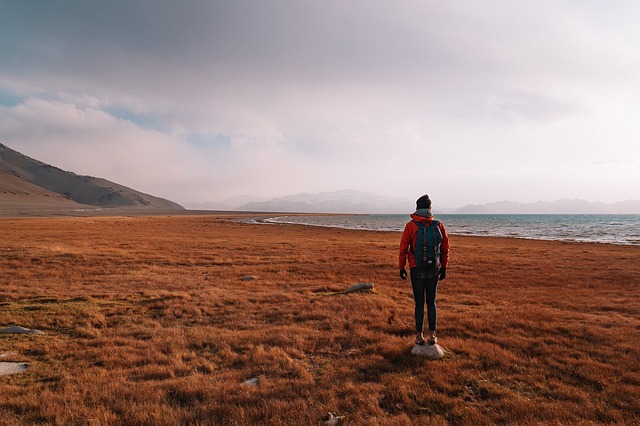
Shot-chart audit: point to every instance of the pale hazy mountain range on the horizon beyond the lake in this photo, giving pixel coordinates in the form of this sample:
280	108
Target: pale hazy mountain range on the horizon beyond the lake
350	201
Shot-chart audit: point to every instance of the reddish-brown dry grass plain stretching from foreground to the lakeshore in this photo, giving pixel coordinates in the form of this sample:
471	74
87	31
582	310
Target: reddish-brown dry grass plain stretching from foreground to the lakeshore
147	322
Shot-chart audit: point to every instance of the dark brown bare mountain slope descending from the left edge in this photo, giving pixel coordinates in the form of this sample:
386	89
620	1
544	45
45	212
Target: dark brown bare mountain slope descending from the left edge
26	183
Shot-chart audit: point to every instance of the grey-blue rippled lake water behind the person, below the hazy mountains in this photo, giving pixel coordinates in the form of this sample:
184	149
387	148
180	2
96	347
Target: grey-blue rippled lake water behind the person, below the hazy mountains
614	229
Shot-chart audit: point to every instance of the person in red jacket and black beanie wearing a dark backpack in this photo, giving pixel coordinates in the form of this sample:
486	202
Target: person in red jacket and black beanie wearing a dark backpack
425	246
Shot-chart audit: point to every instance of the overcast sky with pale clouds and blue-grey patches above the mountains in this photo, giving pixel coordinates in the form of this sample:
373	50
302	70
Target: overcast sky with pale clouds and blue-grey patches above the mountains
469	101
